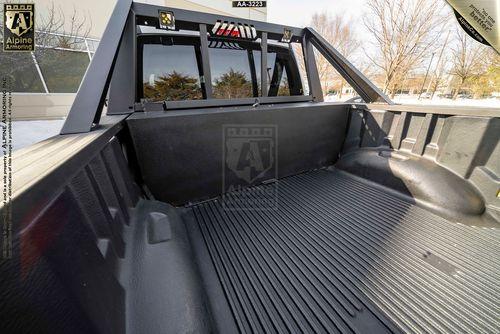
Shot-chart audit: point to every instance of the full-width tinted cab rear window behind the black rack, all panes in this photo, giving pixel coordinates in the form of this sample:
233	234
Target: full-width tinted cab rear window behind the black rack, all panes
172	70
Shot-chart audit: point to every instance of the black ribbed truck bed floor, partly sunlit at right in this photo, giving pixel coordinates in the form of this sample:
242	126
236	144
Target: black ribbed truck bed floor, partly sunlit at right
339	255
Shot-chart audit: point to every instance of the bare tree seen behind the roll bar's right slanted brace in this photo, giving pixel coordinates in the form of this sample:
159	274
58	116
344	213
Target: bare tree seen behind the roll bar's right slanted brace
337	30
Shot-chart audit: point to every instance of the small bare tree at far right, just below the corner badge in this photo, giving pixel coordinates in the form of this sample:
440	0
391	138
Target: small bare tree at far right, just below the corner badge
468	59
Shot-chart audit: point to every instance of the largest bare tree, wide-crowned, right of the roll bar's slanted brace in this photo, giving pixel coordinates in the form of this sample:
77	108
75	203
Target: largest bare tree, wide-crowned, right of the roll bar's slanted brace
404	34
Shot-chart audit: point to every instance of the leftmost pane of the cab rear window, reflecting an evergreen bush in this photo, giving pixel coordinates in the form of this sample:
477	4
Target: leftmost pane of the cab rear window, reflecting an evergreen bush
171	73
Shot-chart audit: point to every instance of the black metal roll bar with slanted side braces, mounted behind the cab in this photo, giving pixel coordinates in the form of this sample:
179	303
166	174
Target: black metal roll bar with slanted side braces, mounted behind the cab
112	72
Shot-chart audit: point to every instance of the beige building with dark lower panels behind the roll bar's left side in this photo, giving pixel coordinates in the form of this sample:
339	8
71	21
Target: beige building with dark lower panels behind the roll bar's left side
46	81
